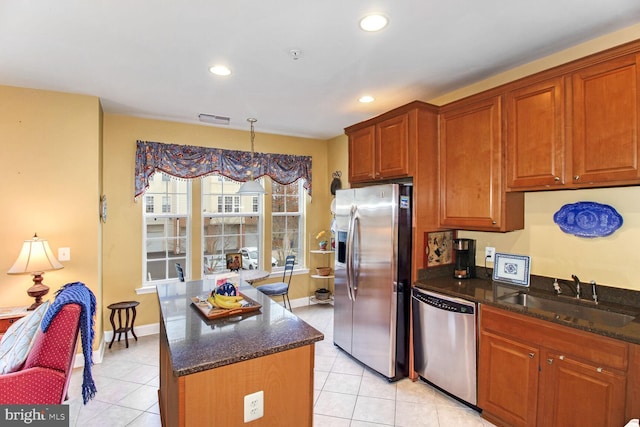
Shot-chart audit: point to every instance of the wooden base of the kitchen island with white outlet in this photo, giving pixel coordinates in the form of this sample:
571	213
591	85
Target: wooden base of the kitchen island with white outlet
215	397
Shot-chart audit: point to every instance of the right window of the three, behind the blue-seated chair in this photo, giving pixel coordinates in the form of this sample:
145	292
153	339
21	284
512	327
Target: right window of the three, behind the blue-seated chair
287	206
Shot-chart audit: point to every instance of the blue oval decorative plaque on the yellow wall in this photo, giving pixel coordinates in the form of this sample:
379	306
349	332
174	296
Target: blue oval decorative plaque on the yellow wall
588	219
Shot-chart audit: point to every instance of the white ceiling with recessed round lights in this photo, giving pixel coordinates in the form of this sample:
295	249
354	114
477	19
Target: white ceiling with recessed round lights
150	58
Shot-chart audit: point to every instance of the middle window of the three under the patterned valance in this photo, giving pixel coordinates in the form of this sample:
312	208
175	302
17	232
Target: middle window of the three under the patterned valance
231	224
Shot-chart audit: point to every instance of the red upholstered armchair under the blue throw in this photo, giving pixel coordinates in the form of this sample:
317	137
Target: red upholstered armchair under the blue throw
45	376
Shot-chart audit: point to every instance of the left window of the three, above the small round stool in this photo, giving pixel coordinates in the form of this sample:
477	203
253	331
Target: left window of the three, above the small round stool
166	234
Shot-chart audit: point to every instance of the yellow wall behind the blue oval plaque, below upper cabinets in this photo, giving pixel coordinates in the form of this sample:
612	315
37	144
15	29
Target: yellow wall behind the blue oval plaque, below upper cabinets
611	260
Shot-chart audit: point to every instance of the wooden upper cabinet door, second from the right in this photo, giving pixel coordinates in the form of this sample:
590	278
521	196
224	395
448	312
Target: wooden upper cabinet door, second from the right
536	136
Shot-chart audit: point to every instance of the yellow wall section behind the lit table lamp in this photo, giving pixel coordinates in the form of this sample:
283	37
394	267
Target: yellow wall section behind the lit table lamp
50	179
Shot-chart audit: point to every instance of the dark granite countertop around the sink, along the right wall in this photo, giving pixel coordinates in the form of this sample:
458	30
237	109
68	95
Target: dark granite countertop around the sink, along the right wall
485	291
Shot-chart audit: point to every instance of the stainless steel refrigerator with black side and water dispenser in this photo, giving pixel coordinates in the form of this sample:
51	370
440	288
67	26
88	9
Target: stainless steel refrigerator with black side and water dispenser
373	276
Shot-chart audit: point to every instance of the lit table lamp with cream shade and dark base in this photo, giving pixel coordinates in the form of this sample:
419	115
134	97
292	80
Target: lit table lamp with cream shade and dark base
35	258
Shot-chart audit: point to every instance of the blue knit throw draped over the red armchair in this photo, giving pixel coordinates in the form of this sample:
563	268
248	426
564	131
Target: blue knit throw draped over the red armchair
78	293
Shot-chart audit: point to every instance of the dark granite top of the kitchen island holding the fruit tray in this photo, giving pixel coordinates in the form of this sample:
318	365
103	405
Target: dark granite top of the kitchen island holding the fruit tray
196	343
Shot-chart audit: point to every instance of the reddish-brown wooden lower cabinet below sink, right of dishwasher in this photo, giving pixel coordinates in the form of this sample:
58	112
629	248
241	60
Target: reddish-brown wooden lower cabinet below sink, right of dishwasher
536	373
